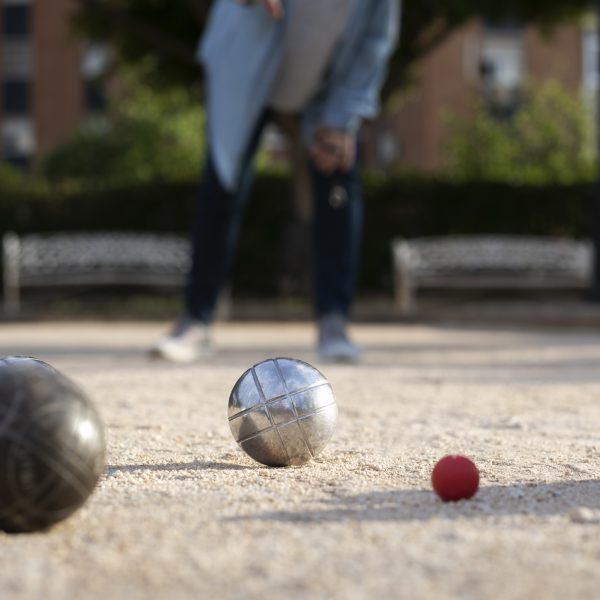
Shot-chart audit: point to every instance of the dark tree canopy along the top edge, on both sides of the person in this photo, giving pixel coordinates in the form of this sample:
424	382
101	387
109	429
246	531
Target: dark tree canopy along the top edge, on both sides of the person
166	31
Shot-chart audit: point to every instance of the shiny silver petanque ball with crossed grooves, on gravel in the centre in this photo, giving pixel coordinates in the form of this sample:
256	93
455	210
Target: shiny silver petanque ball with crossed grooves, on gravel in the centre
282	412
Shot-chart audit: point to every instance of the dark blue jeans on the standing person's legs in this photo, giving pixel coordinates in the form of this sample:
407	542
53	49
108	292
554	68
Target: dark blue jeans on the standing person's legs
337	233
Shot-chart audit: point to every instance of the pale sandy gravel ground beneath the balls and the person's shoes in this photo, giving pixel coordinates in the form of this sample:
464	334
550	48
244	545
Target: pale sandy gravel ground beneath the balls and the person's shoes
182	513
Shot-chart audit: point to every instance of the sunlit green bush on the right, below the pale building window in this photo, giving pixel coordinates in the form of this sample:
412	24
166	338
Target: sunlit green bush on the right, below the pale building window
547	140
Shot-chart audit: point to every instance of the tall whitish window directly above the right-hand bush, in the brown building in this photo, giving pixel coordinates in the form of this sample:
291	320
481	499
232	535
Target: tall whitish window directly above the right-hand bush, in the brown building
502	68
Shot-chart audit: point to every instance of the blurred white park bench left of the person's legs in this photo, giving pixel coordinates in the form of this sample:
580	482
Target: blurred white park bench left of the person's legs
91	259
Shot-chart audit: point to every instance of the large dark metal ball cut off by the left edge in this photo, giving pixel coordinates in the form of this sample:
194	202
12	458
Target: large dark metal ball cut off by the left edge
52	445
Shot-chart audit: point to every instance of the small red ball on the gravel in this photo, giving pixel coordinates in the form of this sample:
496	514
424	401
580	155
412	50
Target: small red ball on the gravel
454	478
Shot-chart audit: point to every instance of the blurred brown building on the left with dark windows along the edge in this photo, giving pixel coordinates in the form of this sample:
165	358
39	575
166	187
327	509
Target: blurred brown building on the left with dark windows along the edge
46	78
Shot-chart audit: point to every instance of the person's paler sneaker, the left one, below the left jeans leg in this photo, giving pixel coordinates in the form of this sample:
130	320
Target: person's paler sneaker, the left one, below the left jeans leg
189	341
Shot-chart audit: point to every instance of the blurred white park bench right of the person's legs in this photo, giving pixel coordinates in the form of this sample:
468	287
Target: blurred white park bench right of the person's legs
488	262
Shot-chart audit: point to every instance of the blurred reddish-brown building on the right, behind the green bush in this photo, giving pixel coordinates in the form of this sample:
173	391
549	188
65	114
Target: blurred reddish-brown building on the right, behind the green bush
481	60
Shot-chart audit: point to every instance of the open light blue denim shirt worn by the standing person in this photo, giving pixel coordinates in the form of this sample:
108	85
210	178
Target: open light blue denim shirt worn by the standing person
241	52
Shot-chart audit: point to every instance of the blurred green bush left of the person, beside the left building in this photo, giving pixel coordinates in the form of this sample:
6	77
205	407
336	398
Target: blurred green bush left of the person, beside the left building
145	136
